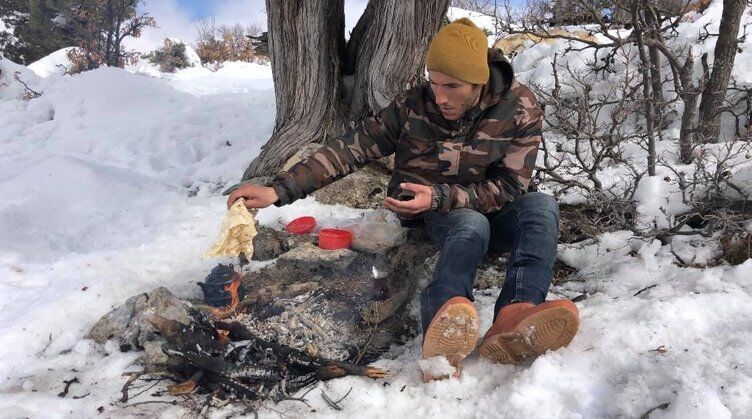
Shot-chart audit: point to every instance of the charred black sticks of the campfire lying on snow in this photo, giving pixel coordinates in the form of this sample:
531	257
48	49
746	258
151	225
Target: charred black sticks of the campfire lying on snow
247	367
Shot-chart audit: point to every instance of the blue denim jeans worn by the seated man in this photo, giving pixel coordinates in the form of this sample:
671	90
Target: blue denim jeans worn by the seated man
527	228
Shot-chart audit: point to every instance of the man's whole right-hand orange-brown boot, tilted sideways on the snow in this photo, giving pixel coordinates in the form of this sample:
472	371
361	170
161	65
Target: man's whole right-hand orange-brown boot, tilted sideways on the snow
524	330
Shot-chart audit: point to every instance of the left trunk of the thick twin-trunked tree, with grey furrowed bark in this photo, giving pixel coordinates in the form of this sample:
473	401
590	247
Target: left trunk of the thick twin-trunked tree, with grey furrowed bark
305	43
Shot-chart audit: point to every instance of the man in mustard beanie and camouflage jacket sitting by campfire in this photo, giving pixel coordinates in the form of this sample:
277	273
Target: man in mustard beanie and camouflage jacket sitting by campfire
465	145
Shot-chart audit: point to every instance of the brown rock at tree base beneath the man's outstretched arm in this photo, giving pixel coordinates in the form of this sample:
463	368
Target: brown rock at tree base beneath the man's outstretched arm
363	189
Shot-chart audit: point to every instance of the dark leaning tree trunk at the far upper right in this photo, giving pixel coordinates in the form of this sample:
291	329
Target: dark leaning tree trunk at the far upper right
714	95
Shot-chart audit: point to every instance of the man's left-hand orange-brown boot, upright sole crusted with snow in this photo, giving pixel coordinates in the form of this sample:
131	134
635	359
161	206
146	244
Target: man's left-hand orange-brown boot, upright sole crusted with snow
453	334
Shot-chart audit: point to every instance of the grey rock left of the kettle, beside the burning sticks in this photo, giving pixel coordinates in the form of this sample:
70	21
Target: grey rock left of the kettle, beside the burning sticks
129	323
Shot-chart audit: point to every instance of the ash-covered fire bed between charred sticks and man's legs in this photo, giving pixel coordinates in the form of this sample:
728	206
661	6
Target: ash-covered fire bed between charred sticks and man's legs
341	304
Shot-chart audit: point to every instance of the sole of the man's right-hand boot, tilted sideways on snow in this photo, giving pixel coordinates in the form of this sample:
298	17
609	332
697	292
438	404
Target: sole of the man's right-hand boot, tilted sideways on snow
545	330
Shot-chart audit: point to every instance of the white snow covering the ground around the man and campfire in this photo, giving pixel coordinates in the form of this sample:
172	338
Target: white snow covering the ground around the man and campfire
110	184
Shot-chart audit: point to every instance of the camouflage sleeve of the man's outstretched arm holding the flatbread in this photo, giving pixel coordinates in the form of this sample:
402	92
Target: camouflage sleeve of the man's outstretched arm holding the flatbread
374	138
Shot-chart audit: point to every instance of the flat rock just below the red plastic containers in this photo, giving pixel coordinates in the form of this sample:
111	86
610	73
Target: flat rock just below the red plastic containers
309	259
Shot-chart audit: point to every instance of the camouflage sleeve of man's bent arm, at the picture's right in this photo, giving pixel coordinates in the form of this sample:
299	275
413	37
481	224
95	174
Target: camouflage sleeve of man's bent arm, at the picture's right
506	178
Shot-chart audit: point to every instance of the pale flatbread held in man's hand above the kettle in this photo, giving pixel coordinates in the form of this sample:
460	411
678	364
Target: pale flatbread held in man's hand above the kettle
238	231
